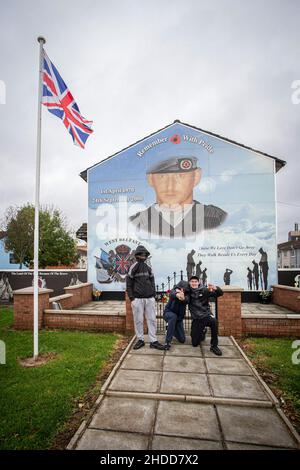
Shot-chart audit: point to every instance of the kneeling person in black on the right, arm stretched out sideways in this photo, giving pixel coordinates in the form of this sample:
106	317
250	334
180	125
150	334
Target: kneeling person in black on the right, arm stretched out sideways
201	313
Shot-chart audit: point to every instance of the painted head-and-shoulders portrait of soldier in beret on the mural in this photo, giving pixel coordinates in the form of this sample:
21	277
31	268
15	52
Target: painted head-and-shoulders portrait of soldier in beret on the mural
176	213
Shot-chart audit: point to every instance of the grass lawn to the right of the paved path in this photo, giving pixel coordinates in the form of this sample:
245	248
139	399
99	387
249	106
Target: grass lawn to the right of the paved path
273	359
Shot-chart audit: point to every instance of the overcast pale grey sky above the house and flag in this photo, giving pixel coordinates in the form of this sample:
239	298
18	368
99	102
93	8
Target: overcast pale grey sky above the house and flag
226	66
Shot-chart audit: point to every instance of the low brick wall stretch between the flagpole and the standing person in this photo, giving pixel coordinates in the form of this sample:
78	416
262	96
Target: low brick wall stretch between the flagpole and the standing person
83	321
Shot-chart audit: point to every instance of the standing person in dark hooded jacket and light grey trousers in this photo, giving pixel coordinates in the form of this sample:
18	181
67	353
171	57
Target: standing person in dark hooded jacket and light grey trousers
140	286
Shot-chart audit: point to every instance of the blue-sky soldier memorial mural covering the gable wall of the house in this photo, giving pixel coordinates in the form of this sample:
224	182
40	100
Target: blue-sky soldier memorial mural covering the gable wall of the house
200	204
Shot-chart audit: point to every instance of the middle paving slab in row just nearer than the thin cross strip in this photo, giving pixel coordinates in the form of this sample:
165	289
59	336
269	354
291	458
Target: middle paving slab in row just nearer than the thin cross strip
198	421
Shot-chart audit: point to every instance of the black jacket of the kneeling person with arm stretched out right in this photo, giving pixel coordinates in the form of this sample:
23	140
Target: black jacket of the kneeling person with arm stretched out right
199	301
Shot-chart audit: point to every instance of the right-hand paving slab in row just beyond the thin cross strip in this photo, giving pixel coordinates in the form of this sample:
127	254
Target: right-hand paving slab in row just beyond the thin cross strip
232	386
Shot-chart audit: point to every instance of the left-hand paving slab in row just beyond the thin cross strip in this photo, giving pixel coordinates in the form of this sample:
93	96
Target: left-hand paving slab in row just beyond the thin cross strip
136	381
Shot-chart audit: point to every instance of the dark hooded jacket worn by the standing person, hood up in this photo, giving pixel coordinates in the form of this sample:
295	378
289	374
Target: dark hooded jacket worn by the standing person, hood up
140	281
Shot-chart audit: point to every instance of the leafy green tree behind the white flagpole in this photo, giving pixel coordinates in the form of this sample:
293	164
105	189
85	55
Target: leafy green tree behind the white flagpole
56	245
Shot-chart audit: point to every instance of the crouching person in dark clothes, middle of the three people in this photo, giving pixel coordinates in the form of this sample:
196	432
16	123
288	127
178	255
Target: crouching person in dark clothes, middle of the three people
174	313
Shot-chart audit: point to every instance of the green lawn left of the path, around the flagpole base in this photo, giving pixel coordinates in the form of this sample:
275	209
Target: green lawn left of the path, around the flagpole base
35	403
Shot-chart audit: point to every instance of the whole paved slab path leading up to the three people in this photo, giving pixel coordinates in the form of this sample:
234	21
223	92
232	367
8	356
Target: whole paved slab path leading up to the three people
185	398
